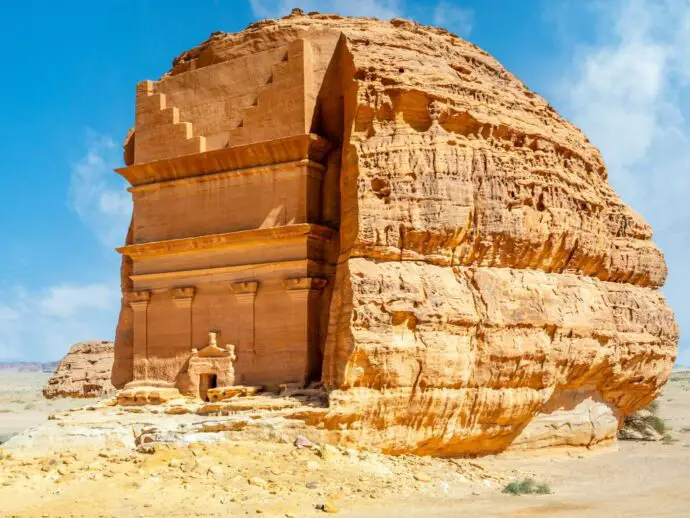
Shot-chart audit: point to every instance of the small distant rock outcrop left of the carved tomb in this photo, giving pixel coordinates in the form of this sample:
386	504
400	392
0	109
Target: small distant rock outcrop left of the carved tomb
84	372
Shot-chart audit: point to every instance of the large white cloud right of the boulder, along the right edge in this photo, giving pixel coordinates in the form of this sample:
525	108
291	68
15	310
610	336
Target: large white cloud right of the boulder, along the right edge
628	93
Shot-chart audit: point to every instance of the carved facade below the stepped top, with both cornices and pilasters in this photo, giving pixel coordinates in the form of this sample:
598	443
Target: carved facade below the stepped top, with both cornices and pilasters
230	249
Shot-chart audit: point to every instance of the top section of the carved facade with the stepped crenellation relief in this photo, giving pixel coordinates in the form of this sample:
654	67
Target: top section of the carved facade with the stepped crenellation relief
231	103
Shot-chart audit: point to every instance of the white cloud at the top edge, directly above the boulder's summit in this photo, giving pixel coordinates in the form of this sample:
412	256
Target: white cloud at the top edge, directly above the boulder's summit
383	9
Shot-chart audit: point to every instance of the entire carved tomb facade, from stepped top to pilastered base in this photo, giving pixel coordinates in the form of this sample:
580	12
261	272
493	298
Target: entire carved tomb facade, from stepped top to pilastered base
215	175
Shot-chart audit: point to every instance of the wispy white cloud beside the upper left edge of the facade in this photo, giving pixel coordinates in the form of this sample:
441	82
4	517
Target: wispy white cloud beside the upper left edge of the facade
97	194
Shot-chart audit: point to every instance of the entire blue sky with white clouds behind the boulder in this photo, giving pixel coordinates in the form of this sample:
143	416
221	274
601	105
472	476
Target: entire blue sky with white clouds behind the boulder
620	69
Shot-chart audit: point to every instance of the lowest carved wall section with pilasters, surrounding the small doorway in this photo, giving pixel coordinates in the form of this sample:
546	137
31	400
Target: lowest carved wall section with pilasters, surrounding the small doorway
269	350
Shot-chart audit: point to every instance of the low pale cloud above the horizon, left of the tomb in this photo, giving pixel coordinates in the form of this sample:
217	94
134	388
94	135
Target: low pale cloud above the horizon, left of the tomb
42	325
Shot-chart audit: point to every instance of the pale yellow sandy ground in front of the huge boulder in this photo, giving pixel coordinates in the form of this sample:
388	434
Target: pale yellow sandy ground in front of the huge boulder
248	477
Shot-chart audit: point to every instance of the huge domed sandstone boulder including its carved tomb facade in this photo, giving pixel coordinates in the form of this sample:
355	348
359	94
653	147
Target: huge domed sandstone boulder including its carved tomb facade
487	289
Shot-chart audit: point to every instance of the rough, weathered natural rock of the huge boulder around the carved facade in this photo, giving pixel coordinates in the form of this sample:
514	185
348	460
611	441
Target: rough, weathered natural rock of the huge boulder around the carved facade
491	290
